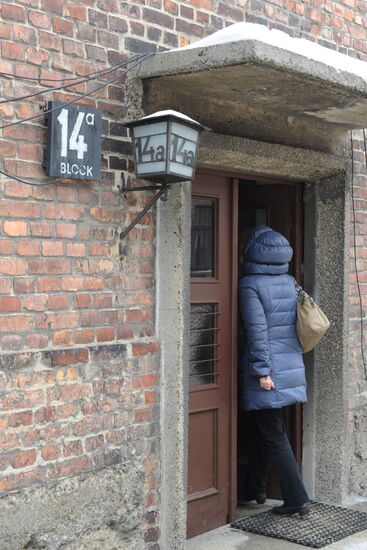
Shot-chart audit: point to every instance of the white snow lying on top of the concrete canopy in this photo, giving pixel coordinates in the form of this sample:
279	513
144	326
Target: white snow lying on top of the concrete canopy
279	39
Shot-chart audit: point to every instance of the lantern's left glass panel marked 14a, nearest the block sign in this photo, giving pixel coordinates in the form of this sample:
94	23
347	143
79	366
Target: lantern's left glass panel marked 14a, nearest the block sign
150	148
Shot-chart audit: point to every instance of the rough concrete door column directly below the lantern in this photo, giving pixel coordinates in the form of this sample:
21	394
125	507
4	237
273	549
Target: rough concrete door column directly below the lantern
173	321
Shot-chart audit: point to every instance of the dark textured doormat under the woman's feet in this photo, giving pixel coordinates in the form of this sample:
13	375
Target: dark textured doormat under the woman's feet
324	525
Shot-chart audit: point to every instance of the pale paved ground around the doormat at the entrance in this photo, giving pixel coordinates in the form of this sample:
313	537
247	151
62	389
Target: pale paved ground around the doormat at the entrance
226	538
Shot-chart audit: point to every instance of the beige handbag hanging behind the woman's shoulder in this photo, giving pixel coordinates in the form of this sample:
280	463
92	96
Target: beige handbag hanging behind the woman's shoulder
312	322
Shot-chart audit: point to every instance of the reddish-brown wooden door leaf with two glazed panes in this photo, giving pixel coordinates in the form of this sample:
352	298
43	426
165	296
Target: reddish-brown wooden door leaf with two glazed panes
211	354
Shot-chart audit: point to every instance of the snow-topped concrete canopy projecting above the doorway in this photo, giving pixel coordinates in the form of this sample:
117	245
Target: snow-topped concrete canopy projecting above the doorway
273	90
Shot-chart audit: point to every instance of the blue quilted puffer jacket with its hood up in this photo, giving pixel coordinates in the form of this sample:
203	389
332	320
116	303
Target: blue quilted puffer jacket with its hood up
268	307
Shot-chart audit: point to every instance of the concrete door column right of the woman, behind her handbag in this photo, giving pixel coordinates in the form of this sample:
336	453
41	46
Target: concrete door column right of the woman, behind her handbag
326	278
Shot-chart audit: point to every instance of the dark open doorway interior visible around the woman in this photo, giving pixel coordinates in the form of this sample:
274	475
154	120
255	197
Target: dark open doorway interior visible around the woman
279	205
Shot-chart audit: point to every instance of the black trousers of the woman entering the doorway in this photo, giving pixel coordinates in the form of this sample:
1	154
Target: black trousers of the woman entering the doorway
270	423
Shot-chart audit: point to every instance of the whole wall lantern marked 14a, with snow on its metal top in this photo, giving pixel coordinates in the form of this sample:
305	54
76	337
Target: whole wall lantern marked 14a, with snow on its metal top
165	146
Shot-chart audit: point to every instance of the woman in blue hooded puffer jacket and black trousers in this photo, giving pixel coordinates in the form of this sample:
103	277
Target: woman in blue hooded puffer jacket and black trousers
272	371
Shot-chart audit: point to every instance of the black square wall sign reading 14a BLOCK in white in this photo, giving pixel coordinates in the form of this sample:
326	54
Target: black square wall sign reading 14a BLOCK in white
74	142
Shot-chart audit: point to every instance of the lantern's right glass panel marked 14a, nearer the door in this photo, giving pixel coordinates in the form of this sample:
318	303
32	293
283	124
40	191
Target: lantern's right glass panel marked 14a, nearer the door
183	148
